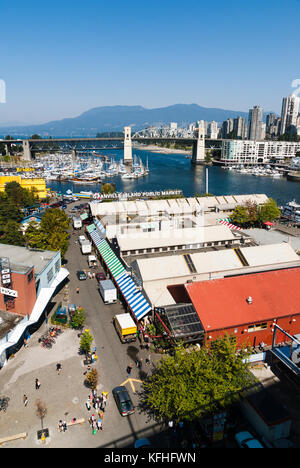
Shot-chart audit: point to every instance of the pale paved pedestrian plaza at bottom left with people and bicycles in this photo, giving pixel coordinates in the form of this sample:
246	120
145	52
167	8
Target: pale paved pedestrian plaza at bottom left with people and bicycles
64	395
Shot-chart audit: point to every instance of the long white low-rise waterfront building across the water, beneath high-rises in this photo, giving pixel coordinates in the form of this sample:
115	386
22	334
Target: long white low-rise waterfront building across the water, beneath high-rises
241	152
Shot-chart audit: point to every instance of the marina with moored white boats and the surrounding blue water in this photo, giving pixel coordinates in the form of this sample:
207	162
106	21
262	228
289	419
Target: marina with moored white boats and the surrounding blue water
156	172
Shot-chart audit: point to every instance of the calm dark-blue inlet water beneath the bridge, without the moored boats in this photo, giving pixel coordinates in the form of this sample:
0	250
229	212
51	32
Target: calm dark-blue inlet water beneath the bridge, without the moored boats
175	171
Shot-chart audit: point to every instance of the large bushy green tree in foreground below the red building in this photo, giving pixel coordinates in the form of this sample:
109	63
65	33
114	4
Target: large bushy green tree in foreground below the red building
187	386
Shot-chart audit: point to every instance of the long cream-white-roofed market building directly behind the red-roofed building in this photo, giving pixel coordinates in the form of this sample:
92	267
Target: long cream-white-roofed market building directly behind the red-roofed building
162	276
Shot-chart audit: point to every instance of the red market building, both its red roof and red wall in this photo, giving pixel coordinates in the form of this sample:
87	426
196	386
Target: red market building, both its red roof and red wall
248	307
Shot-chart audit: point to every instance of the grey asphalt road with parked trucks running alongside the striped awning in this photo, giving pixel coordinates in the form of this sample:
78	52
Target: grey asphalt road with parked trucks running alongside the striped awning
114	357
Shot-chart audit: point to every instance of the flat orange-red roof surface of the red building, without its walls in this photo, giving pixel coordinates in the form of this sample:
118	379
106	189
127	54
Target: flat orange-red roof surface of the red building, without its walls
222	303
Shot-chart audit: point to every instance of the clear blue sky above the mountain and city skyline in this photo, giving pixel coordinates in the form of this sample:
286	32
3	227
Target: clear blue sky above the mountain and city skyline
61	58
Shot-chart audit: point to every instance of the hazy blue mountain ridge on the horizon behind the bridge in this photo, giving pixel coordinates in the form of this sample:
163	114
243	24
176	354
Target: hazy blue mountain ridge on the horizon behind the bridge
114	118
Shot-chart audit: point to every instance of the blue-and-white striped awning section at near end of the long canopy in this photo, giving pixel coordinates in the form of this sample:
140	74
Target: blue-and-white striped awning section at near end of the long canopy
134	298
